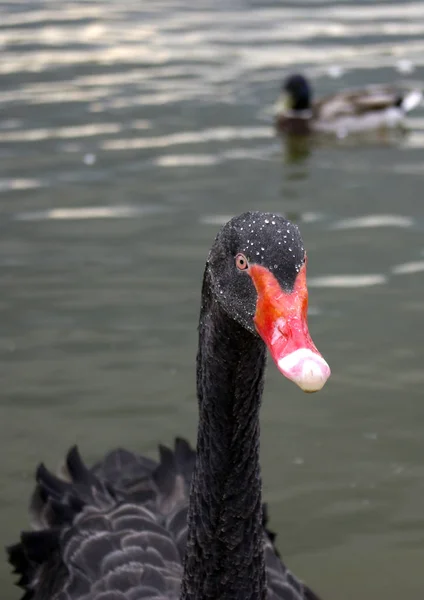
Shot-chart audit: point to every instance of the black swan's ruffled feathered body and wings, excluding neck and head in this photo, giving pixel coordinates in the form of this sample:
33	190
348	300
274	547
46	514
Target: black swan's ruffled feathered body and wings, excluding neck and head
118	531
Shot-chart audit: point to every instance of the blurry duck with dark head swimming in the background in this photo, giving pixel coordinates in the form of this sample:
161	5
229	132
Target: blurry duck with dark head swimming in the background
350	112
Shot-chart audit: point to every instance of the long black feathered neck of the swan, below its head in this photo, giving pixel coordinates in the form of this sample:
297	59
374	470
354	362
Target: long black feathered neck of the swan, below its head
225	555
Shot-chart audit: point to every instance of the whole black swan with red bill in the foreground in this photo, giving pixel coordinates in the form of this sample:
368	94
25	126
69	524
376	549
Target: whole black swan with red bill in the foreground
191	526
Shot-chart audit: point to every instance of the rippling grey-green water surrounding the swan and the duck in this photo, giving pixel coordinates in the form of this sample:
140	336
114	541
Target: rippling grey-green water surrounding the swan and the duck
127	136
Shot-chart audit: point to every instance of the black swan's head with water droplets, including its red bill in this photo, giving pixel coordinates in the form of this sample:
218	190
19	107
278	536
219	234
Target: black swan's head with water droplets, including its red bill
257	268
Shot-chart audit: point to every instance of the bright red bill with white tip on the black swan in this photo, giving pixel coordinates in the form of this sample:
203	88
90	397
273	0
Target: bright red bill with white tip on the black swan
281	321
